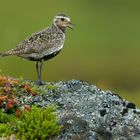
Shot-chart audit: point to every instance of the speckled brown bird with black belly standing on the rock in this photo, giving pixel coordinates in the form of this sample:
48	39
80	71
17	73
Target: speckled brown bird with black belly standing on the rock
43	45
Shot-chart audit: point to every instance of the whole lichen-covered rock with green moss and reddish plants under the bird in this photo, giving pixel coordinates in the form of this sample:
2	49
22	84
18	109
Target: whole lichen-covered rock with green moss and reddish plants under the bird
84	111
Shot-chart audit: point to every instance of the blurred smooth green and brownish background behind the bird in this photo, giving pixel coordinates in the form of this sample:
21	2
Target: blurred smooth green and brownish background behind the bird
103	49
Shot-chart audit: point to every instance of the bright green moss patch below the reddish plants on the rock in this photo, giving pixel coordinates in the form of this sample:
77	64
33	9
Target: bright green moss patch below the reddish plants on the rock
40	123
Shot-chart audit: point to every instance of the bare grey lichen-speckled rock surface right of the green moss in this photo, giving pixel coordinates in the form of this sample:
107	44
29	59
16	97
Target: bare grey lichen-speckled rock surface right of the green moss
88	113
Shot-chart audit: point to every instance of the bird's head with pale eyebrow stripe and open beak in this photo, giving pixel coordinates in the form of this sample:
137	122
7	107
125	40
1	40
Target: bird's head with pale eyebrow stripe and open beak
62	21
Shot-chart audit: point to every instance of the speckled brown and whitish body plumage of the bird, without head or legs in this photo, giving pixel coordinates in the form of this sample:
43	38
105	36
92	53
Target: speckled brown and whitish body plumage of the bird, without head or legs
40	44
